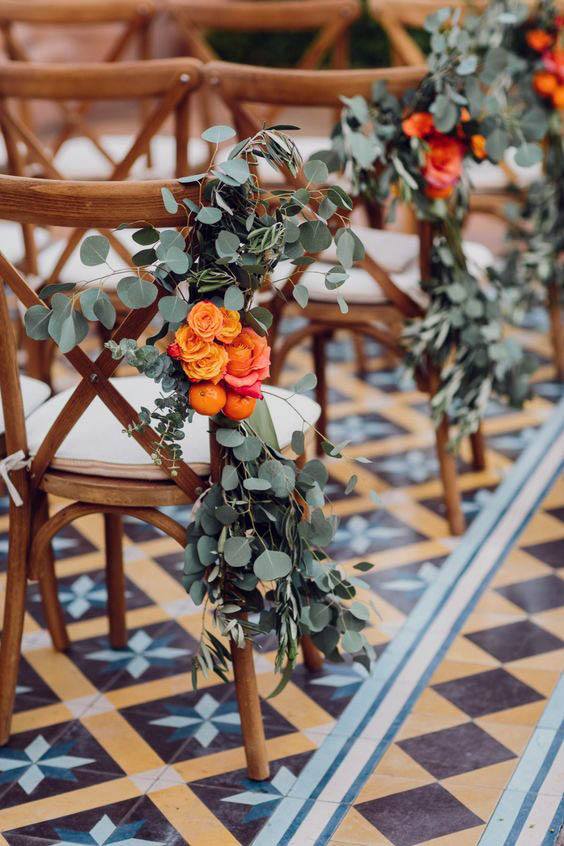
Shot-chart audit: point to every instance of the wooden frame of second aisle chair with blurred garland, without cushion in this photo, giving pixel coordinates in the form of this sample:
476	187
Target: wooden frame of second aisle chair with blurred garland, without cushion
239	85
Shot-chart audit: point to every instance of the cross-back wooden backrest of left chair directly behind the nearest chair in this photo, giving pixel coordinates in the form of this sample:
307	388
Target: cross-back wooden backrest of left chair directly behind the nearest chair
163	86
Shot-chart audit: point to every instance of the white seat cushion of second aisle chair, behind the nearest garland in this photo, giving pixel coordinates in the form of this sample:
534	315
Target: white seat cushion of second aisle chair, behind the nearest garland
386	248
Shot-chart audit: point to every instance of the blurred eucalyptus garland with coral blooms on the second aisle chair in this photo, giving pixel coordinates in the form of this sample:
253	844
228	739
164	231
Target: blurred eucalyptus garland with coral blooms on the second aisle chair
416	151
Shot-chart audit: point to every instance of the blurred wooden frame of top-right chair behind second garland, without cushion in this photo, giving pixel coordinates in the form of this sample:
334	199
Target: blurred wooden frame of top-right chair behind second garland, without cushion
395	16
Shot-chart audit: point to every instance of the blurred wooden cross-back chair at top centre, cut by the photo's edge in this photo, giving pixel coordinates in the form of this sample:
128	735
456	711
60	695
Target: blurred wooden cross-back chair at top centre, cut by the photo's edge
328	20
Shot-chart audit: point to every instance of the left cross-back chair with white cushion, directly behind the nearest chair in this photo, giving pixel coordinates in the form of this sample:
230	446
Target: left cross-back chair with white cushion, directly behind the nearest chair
166	85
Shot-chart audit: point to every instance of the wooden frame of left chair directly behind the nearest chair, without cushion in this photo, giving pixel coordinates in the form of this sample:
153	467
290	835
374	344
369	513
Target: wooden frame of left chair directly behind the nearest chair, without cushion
165	85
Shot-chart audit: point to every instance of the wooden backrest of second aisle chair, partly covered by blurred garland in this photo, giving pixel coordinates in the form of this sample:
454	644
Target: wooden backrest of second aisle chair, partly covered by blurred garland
241	86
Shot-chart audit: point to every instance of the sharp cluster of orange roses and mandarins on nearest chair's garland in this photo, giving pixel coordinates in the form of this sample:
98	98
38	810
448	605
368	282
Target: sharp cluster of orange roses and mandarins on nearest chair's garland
214	348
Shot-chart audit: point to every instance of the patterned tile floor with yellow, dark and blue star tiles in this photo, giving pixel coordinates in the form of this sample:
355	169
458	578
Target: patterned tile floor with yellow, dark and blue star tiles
113	746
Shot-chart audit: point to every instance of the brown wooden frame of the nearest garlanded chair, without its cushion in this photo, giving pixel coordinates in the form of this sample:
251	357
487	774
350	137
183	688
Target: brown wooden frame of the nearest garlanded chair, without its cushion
86	205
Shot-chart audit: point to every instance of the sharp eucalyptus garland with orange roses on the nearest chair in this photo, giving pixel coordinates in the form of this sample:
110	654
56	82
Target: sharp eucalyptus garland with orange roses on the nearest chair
256	543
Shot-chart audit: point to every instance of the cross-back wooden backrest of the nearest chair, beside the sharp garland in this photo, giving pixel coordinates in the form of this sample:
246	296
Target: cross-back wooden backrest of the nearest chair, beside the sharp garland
84	205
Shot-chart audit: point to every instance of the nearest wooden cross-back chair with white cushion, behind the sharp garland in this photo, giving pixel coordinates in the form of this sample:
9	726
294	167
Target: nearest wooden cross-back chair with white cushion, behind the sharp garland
109	474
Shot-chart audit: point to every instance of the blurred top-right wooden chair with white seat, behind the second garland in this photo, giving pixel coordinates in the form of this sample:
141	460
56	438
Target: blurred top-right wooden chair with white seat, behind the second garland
494	186
